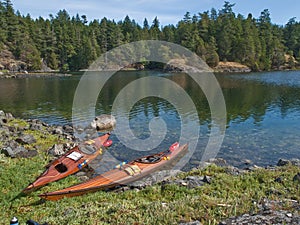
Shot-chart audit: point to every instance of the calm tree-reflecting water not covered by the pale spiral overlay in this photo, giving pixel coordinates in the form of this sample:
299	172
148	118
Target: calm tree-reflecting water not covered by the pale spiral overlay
263	111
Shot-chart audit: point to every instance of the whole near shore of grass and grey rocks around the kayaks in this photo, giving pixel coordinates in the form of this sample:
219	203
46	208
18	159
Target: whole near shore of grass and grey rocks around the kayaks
213	193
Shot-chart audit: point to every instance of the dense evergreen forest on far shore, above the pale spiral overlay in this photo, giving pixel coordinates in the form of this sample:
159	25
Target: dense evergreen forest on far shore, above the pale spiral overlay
72	43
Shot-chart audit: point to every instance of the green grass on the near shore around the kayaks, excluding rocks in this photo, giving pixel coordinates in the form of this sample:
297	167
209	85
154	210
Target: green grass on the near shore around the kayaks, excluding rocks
227	195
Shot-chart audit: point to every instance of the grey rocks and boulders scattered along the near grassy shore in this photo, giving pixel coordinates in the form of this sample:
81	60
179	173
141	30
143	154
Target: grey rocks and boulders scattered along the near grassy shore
26	138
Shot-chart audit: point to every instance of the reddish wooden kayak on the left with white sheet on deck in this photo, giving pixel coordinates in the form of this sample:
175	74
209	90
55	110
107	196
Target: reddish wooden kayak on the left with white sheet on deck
71	162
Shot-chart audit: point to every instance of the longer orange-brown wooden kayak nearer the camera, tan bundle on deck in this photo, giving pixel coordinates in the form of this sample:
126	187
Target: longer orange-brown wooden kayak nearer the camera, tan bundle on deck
123	173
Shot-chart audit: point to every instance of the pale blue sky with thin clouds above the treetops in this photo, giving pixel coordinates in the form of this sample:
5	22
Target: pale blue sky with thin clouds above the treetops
167	11
